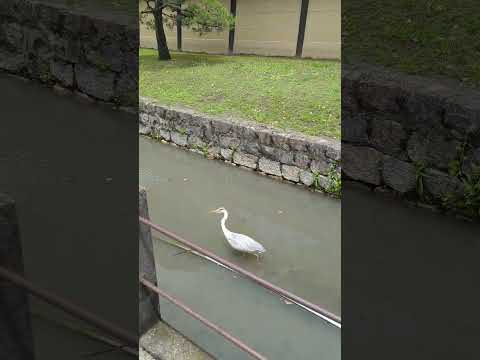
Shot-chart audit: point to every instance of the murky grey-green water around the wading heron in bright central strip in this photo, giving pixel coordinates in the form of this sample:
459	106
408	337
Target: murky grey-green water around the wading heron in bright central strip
299	229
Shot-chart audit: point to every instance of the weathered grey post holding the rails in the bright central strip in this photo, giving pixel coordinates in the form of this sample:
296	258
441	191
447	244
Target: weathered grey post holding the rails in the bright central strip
149	310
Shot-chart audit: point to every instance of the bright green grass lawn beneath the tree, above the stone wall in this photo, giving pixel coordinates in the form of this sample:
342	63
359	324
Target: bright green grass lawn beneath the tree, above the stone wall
301	95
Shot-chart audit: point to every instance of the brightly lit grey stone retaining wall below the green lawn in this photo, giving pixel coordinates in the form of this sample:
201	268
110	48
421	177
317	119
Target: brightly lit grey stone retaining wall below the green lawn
311	161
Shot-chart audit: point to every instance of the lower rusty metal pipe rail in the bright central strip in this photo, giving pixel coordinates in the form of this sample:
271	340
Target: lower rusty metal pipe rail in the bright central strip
238	343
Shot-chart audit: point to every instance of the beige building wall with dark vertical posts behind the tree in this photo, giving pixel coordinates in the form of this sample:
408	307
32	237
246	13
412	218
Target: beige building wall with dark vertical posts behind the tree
269	28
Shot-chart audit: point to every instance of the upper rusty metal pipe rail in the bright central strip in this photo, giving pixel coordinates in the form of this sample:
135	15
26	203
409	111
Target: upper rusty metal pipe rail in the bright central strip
326	315
